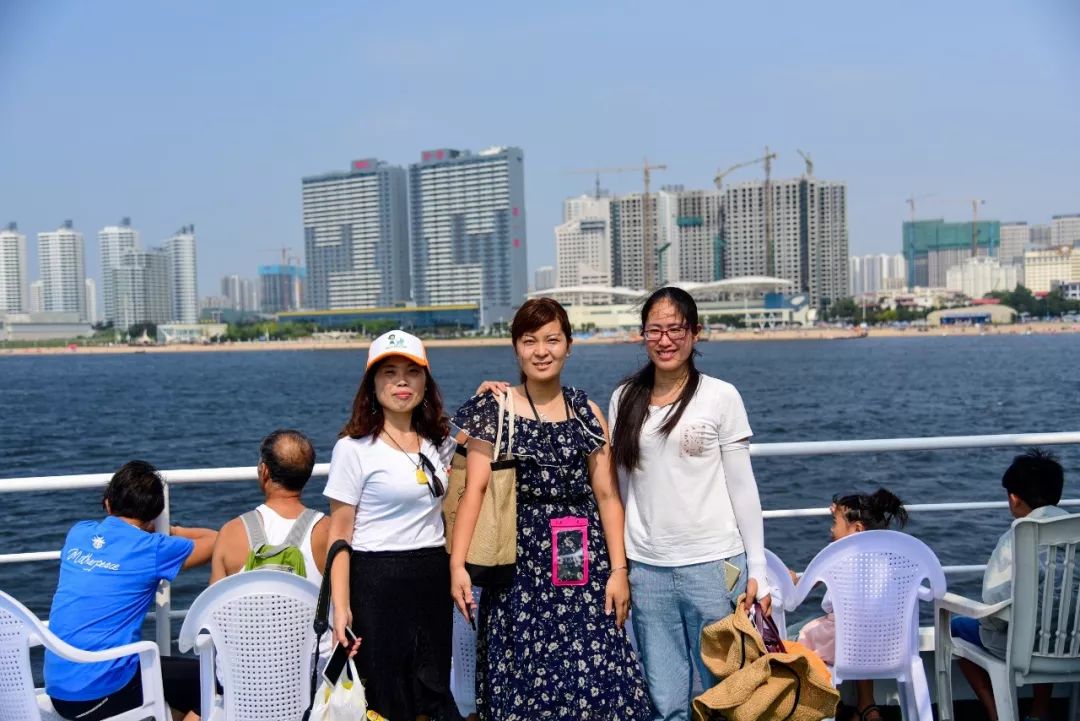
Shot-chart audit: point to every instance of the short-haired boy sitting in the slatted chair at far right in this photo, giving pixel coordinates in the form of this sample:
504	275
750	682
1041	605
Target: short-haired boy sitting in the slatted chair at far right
1034	483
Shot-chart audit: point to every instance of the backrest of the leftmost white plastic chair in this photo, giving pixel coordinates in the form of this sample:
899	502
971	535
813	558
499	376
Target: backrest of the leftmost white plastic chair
18	625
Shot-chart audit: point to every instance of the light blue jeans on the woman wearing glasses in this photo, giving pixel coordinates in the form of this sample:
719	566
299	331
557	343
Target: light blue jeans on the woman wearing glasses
670	608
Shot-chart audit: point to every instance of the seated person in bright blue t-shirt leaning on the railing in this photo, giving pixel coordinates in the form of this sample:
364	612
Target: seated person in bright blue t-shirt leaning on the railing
110	575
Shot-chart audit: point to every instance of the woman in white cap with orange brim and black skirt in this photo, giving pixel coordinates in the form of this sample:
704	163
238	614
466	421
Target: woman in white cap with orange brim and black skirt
387	481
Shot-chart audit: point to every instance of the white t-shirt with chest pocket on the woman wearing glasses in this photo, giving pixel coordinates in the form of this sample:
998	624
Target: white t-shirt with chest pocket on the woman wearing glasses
679	510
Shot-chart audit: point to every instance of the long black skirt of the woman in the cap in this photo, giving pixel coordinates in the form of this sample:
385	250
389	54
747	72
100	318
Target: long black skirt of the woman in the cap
403	614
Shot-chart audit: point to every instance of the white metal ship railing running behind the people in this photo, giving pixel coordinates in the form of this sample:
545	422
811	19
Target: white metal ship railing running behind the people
164	613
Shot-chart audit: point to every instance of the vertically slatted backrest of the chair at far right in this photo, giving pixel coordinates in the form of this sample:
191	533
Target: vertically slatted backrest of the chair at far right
1045	628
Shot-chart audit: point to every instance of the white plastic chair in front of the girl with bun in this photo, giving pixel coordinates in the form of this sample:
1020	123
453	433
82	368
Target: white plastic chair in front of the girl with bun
875	583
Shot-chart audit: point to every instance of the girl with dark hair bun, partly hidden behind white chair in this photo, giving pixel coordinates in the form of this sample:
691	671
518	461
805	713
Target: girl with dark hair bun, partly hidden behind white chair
859	512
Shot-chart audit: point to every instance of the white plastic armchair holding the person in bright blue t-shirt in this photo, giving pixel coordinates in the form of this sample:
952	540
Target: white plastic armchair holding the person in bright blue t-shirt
20	631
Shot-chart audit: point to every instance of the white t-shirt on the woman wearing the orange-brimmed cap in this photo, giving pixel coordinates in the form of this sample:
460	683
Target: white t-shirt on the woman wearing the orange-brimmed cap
394	511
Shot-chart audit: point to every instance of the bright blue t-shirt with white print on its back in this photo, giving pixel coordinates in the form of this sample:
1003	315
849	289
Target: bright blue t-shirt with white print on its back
110	574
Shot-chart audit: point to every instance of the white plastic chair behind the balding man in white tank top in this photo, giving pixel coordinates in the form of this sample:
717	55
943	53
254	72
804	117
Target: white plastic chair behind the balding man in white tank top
256	627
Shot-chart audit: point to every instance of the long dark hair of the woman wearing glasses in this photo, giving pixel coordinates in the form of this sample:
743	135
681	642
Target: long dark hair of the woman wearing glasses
638	389
